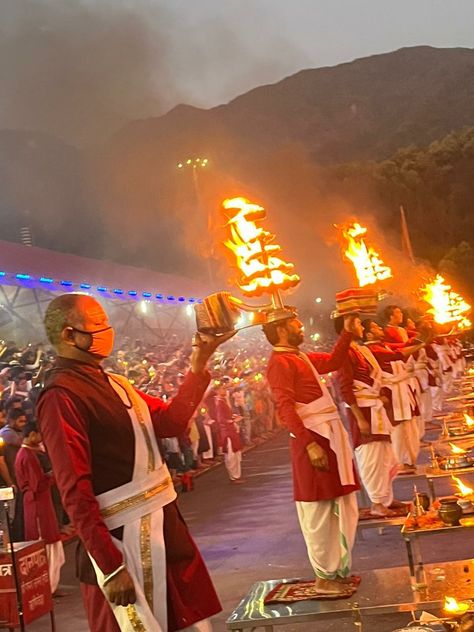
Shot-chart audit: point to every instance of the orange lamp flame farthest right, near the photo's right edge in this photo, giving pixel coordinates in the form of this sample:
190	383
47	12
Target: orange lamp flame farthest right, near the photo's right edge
446	305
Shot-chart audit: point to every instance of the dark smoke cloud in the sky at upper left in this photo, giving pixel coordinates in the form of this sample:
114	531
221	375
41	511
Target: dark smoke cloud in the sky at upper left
80	70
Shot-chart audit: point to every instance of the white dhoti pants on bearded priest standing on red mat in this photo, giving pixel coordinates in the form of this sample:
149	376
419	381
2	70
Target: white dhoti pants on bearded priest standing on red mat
329	528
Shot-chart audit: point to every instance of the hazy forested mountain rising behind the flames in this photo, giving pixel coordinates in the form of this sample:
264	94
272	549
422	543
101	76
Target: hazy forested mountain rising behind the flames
359	138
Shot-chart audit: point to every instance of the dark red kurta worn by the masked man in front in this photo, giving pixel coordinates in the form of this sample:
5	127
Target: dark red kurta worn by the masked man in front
89	436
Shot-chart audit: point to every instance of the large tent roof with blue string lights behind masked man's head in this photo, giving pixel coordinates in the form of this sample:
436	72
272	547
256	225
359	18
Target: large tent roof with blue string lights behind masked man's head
141	303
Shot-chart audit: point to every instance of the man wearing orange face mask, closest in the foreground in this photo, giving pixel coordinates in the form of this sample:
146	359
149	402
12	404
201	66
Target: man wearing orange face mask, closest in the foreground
138	566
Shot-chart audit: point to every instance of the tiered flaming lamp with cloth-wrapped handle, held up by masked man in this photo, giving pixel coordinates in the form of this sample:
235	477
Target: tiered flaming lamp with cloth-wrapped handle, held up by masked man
262	271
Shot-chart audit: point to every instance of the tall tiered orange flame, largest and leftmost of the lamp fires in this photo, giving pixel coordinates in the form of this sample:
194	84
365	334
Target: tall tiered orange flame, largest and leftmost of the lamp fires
262	271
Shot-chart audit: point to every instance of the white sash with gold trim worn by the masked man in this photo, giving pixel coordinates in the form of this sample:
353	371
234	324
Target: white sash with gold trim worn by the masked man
138	506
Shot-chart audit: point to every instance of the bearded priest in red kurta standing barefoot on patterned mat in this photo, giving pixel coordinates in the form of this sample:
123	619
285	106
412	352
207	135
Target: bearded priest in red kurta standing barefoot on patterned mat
324	477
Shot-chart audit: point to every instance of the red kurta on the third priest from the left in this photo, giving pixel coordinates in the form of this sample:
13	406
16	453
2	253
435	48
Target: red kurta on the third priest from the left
356	367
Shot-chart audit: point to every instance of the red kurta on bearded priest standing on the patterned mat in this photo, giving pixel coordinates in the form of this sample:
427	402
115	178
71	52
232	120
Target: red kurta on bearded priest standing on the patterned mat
291	381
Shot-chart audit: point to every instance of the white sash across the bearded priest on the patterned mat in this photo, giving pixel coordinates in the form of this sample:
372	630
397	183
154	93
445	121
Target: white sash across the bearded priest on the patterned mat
321	416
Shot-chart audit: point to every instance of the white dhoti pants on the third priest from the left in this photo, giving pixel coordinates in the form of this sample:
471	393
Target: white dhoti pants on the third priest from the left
377	468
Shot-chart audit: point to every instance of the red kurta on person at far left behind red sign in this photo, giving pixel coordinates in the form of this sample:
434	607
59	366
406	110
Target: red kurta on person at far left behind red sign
39	516
